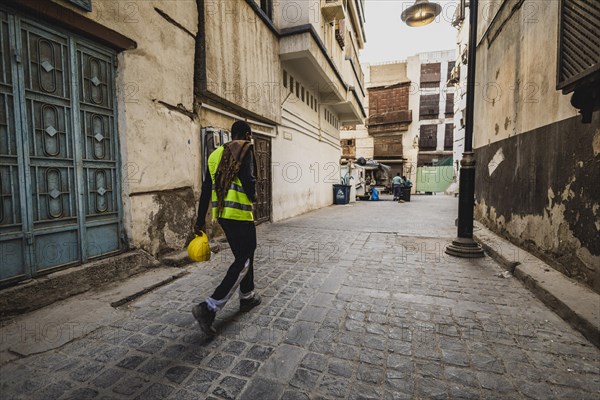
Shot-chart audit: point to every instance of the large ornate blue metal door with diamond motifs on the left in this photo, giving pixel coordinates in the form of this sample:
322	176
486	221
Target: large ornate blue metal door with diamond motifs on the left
59	181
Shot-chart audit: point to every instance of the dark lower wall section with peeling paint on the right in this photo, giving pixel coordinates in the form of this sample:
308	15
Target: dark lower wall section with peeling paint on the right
543	194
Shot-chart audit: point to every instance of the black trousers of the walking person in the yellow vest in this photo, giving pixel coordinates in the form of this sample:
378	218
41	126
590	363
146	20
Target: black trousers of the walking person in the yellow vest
241	236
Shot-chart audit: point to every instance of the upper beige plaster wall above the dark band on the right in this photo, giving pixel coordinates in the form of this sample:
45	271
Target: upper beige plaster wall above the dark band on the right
516	73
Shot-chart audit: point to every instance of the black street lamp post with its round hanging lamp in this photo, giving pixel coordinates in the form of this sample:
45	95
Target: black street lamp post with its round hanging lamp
422	13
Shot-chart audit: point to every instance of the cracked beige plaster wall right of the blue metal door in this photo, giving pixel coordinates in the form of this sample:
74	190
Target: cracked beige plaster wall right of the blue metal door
158	132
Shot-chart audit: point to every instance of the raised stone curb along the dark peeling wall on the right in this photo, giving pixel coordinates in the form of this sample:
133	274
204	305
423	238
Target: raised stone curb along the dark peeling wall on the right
575	303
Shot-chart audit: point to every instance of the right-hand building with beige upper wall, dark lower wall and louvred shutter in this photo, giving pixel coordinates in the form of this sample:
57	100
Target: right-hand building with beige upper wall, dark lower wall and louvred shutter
537	130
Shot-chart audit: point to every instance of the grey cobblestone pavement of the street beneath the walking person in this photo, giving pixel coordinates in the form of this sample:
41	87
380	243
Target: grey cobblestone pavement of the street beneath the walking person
347	313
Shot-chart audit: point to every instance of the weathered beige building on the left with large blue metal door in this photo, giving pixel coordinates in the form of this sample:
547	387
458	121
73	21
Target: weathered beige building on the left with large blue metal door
99	142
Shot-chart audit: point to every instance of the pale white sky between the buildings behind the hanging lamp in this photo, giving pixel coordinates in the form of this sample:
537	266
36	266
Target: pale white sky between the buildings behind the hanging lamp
389	39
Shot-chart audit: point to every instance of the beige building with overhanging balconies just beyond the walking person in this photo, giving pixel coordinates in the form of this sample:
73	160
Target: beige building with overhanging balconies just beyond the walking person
291	68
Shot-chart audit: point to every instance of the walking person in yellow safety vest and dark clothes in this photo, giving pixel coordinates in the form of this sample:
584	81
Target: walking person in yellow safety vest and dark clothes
231	186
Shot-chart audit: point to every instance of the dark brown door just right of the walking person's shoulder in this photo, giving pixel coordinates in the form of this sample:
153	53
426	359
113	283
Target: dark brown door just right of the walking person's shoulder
262	151
